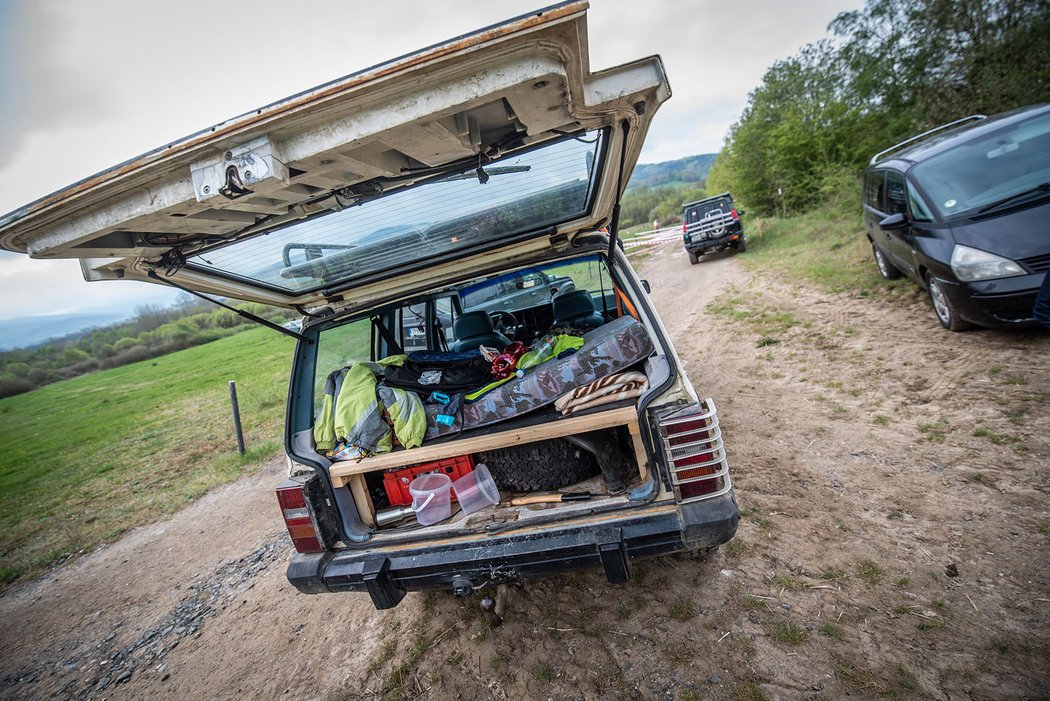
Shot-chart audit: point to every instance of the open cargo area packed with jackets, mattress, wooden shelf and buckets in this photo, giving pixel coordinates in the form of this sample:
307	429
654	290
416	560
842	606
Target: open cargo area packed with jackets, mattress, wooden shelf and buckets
475	427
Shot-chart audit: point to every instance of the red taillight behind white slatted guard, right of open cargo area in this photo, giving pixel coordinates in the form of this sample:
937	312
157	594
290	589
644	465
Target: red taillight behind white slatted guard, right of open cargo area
694	447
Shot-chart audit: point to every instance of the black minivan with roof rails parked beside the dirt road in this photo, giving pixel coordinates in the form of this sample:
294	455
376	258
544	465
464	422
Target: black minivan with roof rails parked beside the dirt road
964	210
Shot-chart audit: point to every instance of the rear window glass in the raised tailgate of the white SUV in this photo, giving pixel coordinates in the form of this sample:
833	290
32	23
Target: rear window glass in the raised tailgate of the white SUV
527	192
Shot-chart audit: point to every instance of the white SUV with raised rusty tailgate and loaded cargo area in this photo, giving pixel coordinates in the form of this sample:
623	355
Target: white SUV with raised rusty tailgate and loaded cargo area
376	205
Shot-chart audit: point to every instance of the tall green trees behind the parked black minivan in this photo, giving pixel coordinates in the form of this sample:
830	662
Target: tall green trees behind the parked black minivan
888	72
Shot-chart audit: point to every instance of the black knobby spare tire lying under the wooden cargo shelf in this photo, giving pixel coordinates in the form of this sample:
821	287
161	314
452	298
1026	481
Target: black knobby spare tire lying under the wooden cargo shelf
541	466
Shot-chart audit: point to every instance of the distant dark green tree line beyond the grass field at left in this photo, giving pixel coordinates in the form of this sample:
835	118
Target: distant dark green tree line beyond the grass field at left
155	331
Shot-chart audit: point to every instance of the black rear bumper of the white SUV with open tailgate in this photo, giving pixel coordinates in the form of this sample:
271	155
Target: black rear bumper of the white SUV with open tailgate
606	541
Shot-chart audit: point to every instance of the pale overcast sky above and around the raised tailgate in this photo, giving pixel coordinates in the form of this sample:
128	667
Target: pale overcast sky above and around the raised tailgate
87	86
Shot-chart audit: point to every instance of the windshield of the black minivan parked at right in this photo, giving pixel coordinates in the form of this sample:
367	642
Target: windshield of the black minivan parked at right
989	169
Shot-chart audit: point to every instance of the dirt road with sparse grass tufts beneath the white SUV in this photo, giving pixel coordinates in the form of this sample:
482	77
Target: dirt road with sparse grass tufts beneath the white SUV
893	480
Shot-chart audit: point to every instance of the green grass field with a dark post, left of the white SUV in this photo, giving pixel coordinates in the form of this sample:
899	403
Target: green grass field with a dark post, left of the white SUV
87	459
